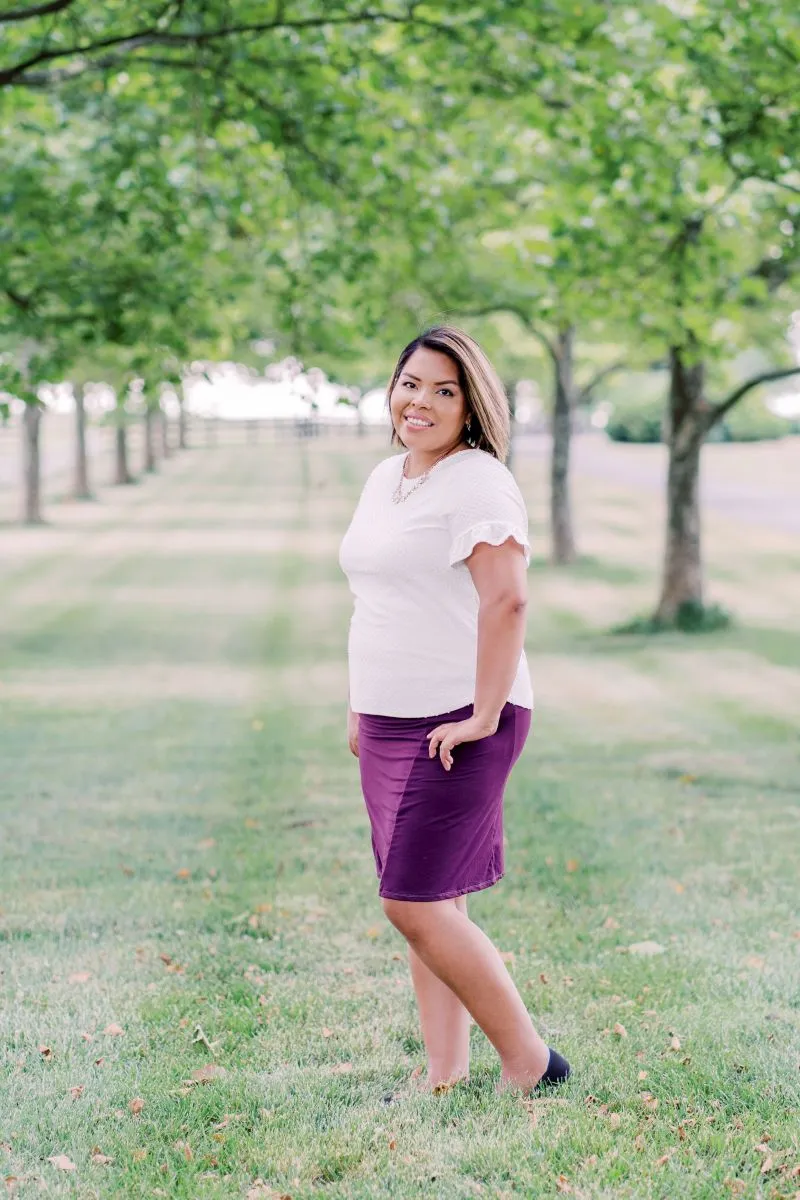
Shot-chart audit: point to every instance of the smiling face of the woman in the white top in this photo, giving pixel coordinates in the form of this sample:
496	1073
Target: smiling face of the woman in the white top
428	406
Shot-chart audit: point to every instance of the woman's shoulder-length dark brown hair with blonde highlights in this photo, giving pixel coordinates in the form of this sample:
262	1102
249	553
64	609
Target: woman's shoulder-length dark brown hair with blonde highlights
488	405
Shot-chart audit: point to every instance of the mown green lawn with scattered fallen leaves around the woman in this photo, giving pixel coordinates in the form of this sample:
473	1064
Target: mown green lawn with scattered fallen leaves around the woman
200	993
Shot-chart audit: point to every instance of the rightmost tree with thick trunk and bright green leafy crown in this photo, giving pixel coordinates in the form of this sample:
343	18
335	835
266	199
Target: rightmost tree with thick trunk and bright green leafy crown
700	147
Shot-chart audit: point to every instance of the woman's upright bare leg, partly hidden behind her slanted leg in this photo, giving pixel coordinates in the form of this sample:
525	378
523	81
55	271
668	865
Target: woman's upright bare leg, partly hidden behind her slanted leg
444	1021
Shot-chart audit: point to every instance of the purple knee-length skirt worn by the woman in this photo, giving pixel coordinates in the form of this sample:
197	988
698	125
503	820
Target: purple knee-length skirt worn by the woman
437	833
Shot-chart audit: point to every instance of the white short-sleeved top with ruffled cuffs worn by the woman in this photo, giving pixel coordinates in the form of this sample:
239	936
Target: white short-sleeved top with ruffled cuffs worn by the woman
413	638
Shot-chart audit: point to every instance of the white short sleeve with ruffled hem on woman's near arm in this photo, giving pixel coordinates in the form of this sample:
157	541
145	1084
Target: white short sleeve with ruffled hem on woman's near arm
490	508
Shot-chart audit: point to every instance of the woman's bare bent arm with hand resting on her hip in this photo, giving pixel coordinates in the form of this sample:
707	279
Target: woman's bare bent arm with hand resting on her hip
502	586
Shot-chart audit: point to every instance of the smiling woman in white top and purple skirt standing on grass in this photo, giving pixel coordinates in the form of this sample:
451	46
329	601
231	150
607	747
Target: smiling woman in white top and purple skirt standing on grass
441	697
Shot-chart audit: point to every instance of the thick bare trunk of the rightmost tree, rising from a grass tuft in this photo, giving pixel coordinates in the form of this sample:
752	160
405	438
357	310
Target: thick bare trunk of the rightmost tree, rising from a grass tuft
683	568
